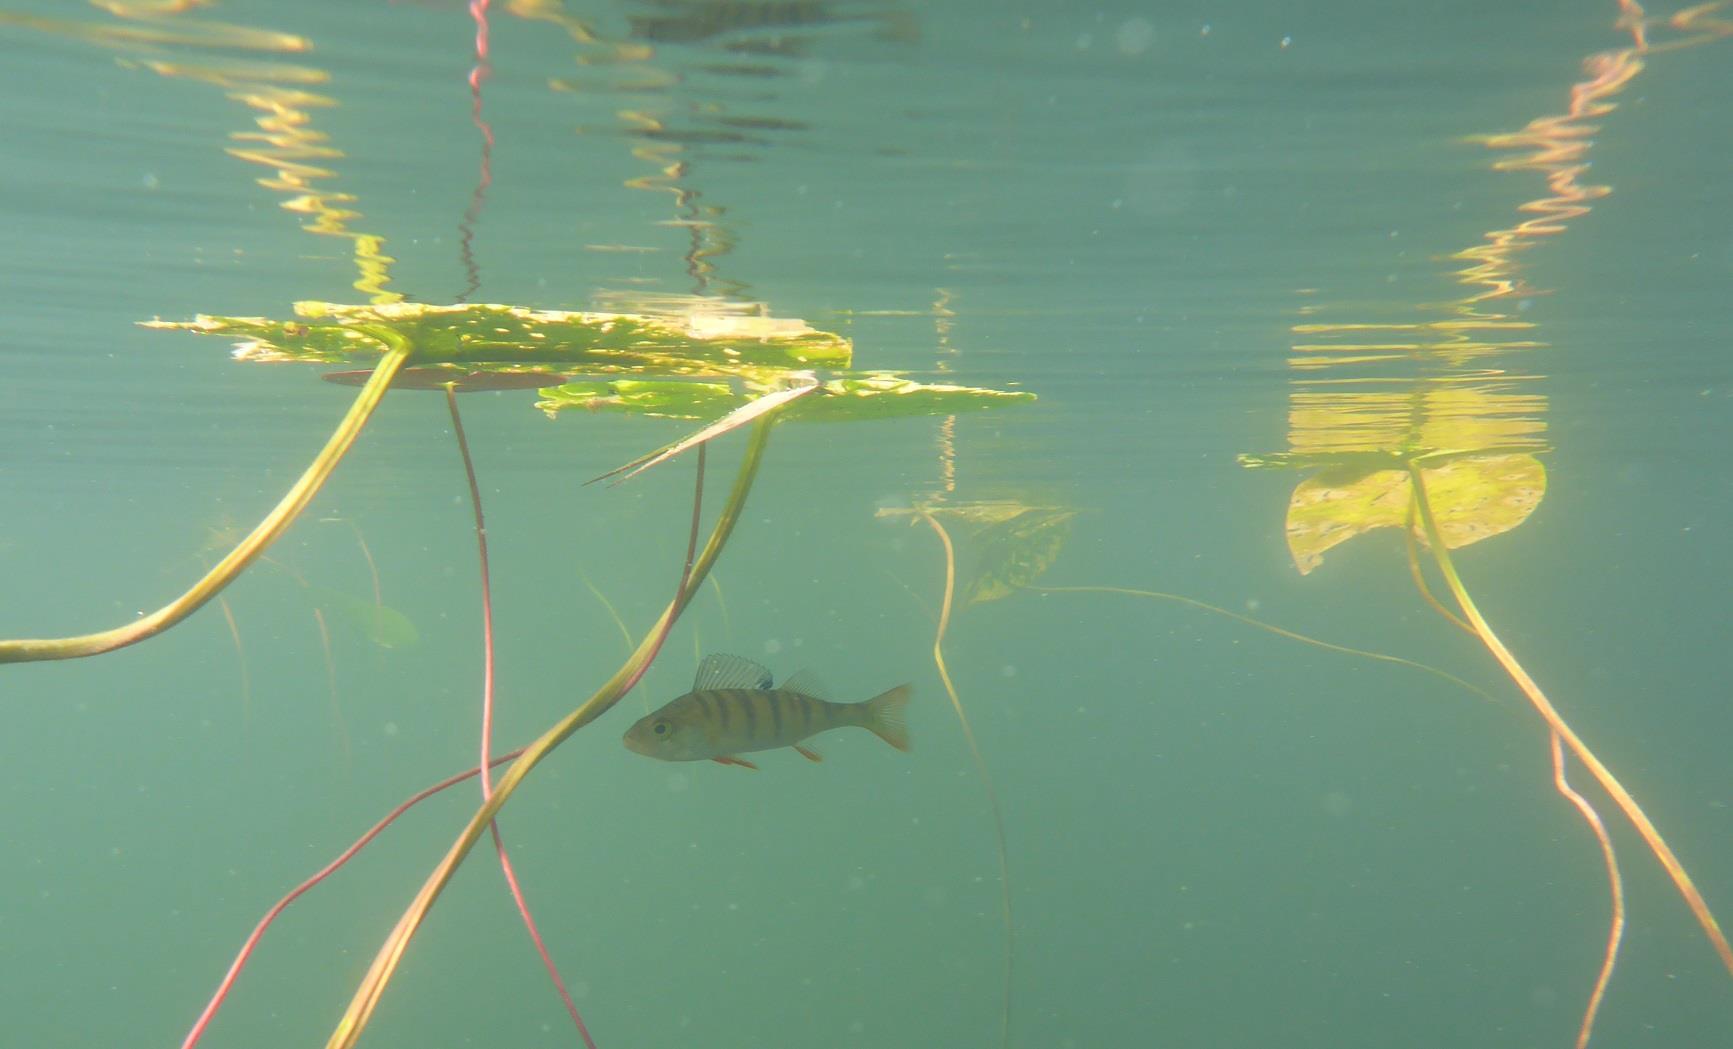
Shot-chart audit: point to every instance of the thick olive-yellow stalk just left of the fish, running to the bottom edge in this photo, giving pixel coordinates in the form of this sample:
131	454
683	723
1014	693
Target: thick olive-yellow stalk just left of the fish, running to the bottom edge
393	951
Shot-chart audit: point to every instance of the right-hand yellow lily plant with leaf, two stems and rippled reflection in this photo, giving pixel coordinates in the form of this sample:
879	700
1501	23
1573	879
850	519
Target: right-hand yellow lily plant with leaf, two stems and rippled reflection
1424	426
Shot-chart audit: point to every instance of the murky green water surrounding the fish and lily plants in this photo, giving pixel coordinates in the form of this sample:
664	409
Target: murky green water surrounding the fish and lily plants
1217	838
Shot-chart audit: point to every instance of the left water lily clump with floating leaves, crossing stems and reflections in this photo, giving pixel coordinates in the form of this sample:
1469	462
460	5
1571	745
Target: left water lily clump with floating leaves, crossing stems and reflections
718	362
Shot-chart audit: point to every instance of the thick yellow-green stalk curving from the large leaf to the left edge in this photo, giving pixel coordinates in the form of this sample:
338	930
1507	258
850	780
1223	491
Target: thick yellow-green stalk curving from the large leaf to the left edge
228	570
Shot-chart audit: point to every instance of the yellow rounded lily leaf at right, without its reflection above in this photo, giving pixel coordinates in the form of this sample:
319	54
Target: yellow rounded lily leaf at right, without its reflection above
1472	497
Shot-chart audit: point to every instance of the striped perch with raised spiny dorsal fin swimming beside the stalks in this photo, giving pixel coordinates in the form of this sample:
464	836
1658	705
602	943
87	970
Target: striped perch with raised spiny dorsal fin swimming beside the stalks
736	708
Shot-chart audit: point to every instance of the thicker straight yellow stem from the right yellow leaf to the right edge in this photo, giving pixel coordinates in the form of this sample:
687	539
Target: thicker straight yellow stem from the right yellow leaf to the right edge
1604	776
